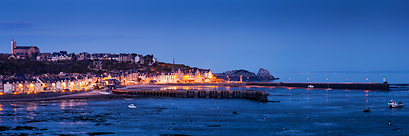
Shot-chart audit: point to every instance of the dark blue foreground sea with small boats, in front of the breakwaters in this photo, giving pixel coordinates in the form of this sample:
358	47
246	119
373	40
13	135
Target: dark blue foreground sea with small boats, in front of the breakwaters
299	112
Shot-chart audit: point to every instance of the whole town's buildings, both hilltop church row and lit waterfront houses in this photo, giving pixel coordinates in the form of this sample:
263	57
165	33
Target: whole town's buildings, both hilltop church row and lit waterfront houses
27	83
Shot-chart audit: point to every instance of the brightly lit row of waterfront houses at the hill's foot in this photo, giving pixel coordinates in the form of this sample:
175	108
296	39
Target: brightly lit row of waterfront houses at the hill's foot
74	81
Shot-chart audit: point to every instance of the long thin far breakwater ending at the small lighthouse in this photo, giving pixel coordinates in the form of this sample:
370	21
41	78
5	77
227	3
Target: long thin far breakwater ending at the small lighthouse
359	86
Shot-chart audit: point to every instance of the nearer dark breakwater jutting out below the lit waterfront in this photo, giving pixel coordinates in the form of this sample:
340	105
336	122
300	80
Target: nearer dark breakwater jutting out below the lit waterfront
246	94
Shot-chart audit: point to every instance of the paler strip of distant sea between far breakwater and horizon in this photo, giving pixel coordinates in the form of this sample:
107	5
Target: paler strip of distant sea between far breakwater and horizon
358	77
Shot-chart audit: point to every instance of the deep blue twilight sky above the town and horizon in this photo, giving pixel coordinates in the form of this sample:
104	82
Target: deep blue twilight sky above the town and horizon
281	36
